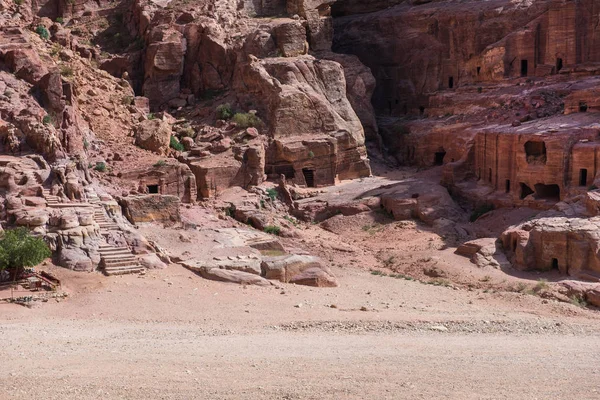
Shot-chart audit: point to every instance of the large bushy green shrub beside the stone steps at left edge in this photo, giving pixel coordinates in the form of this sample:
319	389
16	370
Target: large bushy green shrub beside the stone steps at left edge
19	249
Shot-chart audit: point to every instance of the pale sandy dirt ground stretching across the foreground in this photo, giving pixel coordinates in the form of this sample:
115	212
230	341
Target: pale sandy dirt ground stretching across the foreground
172	335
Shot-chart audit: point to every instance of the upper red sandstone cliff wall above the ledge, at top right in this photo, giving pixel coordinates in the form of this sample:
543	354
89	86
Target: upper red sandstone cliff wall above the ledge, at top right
440	45
